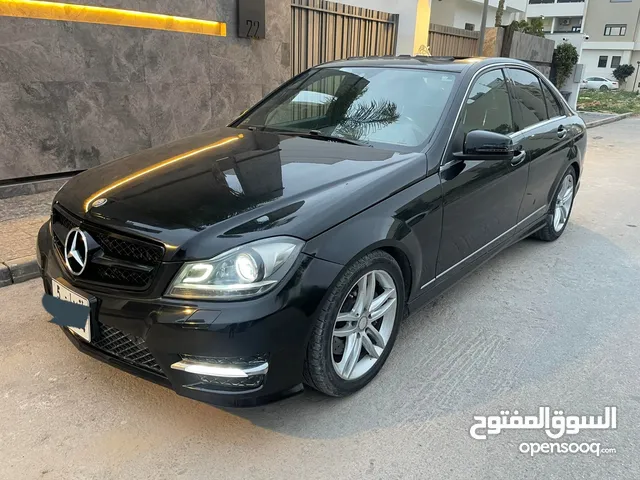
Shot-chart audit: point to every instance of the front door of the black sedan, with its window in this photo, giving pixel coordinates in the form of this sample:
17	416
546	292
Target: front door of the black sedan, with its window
481	197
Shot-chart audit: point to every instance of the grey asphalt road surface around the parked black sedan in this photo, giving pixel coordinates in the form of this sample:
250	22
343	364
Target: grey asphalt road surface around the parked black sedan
540	325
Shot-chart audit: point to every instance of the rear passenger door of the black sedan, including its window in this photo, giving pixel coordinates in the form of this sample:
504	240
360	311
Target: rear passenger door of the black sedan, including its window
544	132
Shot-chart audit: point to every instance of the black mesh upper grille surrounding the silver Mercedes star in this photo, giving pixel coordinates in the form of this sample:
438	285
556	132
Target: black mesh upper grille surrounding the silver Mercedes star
125	262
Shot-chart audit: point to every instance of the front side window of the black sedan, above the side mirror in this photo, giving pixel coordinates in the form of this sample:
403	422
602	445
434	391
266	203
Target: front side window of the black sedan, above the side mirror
488	106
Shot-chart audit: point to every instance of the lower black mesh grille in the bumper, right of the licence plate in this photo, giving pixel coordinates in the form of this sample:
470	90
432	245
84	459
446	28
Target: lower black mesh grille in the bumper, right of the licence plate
126	347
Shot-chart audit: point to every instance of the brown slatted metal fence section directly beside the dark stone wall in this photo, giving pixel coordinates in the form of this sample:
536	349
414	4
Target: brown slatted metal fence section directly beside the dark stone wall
323	31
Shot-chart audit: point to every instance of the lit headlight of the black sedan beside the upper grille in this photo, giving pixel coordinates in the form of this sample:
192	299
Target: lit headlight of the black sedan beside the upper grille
242	272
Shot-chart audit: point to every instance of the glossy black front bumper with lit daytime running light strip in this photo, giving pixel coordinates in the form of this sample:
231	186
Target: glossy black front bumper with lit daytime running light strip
225	353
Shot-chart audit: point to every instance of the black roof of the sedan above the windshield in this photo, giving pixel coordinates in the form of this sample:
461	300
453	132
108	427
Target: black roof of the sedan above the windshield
451	64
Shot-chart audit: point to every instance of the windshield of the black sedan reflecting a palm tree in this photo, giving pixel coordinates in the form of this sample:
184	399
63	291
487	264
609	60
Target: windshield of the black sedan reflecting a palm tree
387	106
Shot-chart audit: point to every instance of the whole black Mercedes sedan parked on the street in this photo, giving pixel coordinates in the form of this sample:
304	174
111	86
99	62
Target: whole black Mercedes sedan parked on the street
239	264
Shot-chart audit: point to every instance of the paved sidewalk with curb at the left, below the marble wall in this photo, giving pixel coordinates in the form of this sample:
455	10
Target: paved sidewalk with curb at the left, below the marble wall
20	219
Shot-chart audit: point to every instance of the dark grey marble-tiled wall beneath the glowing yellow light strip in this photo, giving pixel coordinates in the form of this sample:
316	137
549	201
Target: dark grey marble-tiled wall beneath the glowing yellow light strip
74	95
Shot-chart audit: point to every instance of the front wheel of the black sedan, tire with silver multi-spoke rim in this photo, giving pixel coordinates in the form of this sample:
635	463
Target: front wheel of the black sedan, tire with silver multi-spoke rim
326	369
